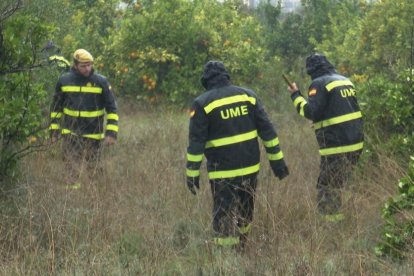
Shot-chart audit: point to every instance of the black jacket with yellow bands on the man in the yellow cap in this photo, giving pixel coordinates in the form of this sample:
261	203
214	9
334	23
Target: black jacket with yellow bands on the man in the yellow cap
79	107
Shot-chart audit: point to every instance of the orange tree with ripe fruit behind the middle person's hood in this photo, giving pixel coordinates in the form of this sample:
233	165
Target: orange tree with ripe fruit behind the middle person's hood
159	49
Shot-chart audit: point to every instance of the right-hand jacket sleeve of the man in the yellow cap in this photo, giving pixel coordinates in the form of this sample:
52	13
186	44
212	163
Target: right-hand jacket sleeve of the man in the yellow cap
111	110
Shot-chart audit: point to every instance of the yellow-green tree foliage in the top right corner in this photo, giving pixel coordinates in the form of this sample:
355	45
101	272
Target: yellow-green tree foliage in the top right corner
386	37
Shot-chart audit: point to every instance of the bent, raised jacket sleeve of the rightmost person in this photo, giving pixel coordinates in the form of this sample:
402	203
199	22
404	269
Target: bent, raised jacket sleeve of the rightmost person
313	107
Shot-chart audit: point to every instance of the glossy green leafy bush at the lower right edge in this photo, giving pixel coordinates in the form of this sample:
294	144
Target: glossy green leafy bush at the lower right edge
398	232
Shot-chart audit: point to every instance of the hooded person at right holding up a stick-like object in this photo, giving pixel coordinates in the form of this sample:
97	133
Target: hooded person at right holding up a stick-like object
337	120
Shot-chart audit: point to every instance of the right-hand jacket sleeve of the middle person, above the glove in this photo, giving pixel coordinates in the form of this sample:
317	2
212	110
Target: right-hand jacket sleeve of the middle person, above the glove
268	134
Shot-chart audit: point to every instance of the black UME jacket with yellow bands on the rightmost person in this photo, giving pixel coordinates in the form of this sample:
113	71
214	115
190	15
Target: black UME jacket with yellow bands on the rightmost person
332	106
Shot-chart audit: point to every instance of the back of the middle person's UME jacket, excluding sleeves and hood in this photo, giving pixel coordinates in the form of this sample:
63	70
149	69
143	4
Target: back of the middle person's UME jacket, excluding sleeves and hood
231	141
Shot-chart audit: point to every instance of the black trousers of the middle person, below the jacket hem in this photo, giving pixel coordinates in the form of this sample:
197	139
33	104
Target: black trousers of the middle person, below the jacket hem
233	205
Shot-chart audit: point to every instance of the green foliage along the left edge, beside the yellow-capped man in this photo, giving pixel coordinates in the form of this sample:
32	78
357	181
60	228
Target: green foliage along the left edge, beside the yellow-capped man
21	99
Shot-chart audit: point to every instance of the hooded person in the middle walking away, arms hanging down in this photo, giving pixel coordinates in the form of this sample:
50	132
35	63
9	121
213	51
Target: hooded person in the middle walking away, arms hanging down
225	122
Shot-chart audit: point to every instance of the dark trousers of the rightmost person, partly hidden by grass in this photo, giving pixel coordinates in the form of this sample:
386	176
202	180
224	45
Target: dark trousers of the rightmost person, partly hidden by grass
334	173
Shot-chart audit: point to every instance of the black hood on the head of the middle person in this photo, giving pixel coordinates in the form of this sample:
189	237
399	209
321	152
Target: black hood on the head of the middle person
214	75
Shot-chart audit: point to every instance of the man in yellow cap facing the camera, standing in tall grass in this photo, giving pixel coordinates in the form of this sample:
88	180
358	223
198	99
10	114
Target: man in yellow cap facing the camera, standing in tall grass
81	100
